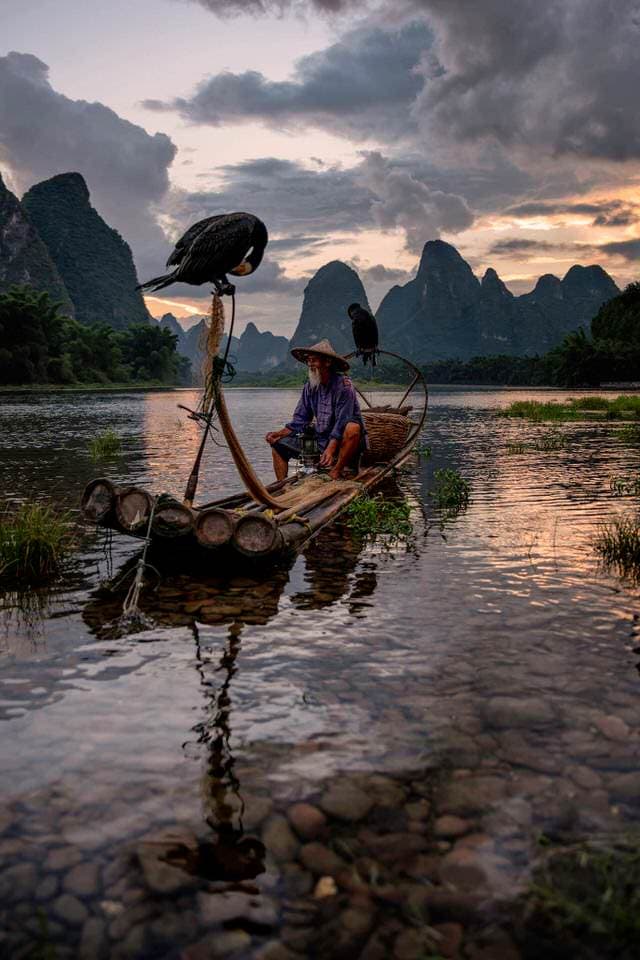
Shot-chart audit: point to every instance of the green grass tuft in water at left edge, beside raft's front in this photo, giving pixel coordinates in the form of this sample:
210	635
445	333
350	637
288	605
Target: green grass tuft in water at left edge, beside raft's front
34	540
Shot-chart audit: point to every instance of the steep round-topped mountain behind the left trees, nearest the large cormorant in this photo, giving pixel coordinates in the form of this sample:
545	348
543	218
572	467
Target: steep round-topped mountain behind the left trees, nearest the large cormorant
93	260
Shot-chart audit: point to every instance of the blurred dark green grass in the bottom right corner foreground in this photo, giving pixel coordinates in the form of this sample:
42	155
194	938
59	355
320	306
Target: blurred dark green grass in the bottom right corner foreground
591	894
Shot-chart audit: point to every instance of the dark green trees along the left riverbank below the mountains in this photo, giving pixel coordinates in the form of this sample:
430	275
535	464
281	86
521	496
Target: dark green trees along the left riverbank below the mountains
39	344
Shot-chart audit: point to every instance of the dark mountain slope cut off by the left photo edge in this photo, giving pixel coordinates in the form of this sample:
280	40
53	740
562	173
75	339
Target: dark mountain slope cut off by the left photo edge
24	258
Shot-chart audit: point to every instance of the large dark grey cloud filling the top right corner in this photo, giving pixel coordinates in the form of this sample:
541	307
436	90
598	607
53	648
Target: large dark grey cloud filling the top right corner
559	77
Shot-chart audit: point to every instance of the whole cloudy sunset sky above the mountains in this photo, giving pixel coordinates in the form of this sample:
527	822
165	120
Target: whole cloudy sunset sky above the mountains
357	129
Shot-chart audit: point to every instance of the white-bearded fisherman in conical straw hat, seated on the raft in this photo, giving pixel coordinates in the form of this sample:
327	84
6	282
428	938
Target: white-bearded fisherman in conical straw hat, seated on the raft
330	400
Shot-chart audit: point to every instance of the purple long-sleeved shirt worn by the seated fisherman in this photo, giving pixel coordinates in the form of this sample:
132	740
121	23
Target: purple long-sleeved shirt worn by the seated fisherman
332	407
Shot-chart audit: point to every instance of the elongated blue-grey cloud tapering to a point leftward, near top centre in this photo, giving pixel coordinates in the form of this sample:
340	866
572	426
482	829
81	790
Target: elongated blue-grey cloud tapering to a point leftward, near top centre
361	87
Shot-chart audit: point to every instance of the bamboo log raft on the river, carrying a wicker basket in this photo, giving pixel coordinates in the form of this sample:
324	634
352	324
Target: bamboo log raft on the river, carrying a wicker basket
268	522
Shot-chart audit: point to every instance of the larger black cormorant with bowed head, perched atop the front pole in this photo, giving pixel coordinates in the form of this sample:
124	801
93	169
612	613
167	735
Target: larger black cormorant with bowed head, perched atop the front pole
212	248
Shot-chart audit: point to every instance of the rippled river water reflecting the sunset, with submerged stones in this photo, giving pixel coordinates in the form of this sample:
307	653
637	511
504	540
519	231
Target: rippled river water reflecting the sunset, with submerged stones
363	753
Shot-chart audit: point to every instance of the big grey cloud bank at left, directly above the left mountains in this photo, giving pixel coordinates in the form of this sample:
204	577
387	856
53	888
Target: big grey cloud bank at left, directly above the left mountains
43	133
